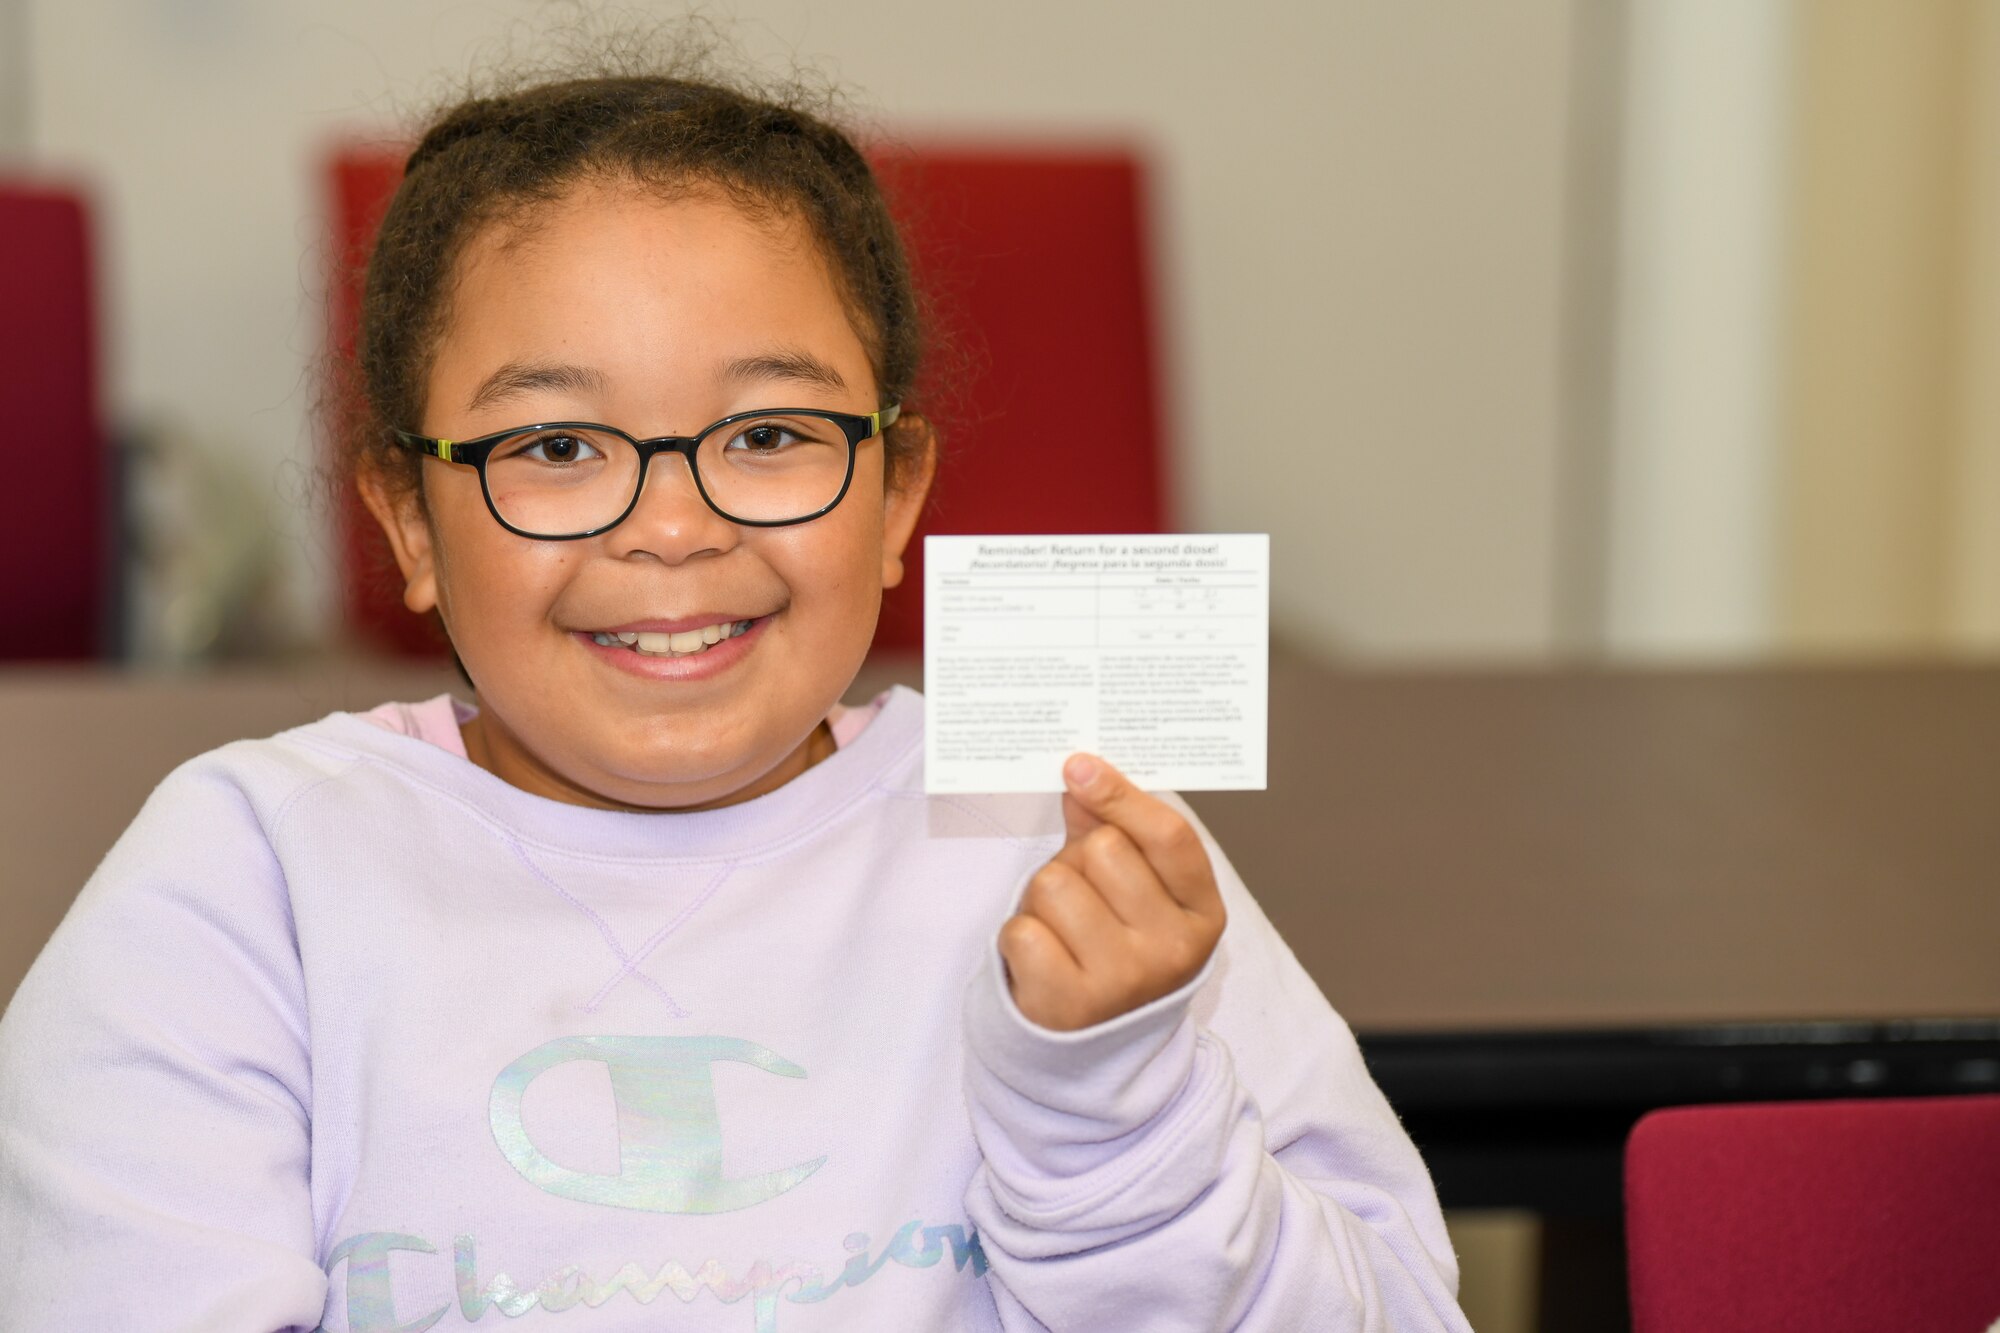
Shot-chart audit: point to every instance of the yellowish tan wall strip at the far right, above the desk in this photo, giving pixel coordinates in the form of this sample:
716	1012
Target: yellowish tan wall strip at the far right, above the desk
1891	527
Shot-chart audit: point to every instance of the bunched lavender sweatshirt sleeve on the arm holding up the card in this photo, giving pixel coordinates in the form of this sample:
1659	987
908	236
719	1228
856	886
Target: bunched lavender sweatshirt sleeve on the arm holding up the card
1217	1160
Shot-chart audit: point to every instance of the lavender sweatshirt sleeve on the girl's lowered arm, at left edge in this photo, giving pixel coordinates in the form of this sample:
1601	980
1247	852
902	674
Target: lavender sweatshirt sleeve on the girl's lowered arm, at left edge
155	1090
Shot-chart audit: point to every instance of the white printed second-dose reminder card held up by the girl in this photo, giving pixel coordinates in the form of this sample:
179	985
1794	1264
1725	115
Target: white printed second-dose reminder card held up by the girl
1151	651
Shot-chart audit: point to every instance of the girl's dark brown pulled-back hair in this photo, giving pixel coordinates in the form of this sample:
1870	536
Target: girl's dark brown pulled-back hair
497	157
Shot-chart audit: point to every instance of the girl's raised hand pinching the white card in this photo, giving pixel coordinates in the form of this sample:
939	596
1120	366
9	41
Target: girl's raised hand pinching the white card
1125	914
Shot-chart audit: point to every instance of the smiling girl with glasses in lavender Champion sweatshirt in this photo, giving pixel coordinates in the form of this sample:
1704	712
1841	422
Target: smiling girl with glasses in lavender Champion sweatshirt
651	992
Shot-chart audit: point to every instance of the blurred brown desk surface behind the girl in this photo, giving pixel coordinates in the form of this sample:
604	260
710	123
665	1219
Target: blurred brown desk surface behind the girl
1445	852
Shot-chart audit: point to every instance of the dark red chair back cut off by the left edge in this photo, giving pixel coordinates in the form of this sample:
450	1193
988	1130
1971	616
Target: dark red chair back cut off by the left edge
55	515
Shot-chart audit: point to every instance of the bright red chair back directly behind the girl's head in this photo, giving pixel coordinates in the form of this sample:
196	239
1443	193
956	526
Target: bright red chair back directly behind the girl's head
1043	387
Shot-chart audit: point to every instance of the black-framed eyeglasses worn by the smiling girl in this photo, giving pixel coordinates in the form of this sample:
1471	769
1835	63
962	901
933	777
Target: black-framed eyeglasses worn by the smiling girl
571	479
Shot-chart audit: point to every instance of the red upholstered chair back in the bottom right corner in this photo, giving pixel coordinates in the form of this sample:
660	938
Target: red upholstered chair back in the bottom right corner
1823	1216
